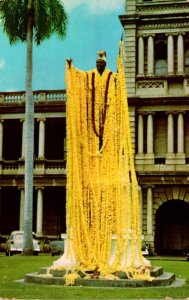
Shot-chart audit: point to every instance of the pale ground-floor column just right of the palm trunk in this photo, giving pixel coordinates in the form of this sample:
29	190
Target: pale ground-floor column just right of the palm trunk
39	225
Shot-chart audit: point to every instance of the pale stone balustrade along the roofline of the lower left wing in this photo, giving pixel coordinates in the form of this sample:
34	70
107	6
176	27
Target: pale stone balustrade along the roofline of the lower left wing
39	96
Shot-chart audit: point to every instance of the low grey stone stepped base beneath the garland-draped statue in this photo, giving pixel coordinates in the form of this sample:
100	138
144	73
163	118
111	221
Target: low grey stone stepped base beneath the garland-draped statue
56	278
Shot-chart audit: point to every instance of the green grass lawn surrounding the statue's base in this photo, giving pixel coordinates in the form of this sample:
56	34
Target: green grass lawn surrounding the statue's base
15	267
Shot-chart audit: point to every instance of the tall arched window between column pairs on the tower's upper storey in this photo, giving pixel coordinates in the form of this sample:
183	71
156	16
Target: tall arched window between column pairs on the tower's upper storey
160	58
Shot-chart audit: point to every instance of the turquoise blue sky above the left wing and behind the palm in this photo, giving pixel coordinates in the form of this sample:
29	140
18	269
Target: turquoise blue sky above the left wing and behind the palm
93	25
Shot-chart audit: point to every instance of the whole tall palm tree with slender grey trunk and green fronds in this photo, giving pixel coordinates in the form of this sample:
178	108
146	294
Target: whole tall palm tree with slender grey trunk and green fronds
28	20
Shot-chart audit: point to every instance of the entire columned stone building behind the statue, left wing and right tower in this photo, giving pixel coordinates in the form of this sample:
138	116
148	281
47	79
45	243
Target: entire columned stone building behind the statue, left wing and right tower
156	37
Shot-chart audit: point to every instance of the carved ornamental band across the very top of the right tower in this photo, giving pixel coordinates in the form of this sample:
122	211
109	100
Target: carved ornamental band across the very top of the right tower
163	8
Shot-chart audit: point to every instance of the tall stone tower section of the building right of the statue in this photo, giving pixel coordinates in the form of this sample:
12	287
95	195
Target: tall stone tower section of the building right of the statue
156	35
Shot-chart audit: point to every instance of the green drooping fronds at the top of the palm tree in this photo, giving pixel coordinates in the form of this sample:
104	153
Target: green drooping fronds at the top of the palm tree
48	17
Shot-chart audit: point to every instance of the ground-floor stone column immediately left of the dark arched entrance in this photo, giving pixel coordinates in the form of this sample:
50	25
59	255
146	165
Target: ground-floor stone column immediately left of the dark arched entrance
149	211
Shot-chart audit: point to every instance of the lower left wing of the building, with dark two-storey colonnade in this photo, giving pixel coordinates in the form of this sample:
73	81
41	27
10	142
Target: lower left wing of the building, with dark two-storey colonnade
49	162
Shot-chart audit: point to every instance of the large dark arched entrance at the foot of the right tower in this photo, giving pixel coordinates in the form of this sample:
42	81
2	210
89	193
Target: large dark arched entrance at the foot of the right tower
172	223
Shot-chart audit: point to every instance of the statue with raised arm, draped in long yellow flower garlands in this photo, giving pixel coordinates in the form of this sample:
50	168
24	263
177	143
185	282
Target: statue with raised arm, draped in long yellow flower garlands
103	215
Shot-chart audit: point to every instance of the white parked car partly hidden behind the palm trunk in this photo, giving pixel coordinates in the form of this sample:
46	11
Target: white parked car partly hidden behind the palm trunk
15	243
